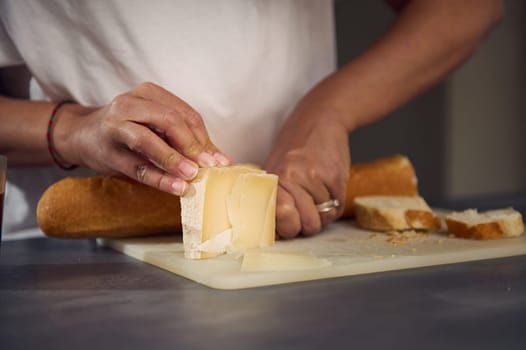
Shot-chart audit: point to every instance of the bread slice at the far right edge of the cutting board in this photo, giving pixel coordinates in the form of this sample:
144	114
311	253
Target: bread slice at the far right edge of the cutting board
491	224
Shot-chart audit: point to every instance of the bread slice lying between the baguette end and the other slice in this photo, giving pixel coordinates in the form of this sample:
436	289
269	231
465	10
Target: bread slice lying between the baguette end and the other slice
386	213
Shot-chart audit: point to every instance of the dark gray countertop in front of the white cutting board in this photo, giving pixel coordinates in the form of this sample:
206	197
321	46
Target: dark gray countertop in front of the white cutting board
74	295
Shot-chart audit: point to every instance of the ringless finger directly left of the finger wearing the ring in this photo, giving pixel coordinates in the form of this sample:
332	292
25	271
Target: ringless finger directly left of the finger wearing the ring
308	212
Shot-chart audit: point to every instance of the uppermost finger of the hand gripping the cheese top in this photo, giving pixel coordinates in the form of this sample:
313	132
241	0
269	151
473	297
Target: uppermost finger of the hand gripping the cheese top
192	118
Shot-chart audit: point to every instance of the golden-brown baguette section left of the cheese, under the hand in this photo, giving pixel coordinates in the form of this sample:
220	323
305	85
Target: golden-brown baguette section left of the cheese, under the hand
103	206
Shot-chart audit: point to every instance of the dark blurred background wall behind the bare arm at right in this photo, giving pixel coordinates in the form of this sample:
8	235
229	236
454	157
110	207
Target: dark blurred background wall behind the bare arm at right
467	136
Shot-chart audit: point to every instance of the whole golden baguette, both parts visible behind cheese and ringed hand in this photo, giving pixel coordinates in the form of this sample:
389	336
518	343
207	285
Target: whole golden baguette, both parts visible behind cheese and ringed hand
114	207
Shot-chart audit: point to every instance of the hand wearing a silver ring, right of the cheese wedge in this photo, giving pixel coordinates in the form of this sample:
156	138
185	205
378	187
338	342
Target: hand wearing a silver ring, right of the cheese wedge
312	159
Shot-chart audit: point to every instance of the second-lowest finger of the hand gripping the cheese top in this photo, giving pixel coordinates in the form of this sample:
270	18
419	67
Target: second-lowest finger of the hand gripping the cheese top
146	143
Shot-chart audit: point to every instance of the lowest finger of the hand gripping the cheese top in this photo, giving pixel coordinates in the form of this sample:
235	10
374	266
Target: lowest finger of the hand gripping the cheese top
141	170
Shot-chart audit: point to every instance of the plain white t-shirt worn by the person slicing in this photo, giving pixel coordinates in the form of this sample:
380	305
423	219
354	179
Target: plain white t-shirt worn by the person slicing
242	64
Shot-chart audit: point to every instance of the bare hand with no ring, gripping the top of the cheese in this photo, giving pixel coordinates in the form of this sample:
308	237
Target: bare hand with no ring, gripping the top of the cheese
148	134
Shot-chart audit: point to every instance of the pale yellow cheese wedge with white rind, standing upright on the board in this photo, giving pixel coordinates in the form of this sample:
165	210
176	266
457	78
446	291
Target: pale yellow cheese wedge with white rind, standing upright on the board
228	209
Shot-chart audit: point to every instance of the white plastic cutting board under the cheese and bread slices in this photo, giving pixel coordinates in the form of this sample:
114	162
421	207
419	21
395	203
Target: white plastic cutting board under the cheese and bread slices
350	250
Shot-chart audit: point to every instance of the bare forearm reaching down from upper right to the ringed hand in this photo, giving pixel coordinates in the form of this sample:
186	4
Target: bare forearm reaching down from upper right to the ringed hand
429	39
